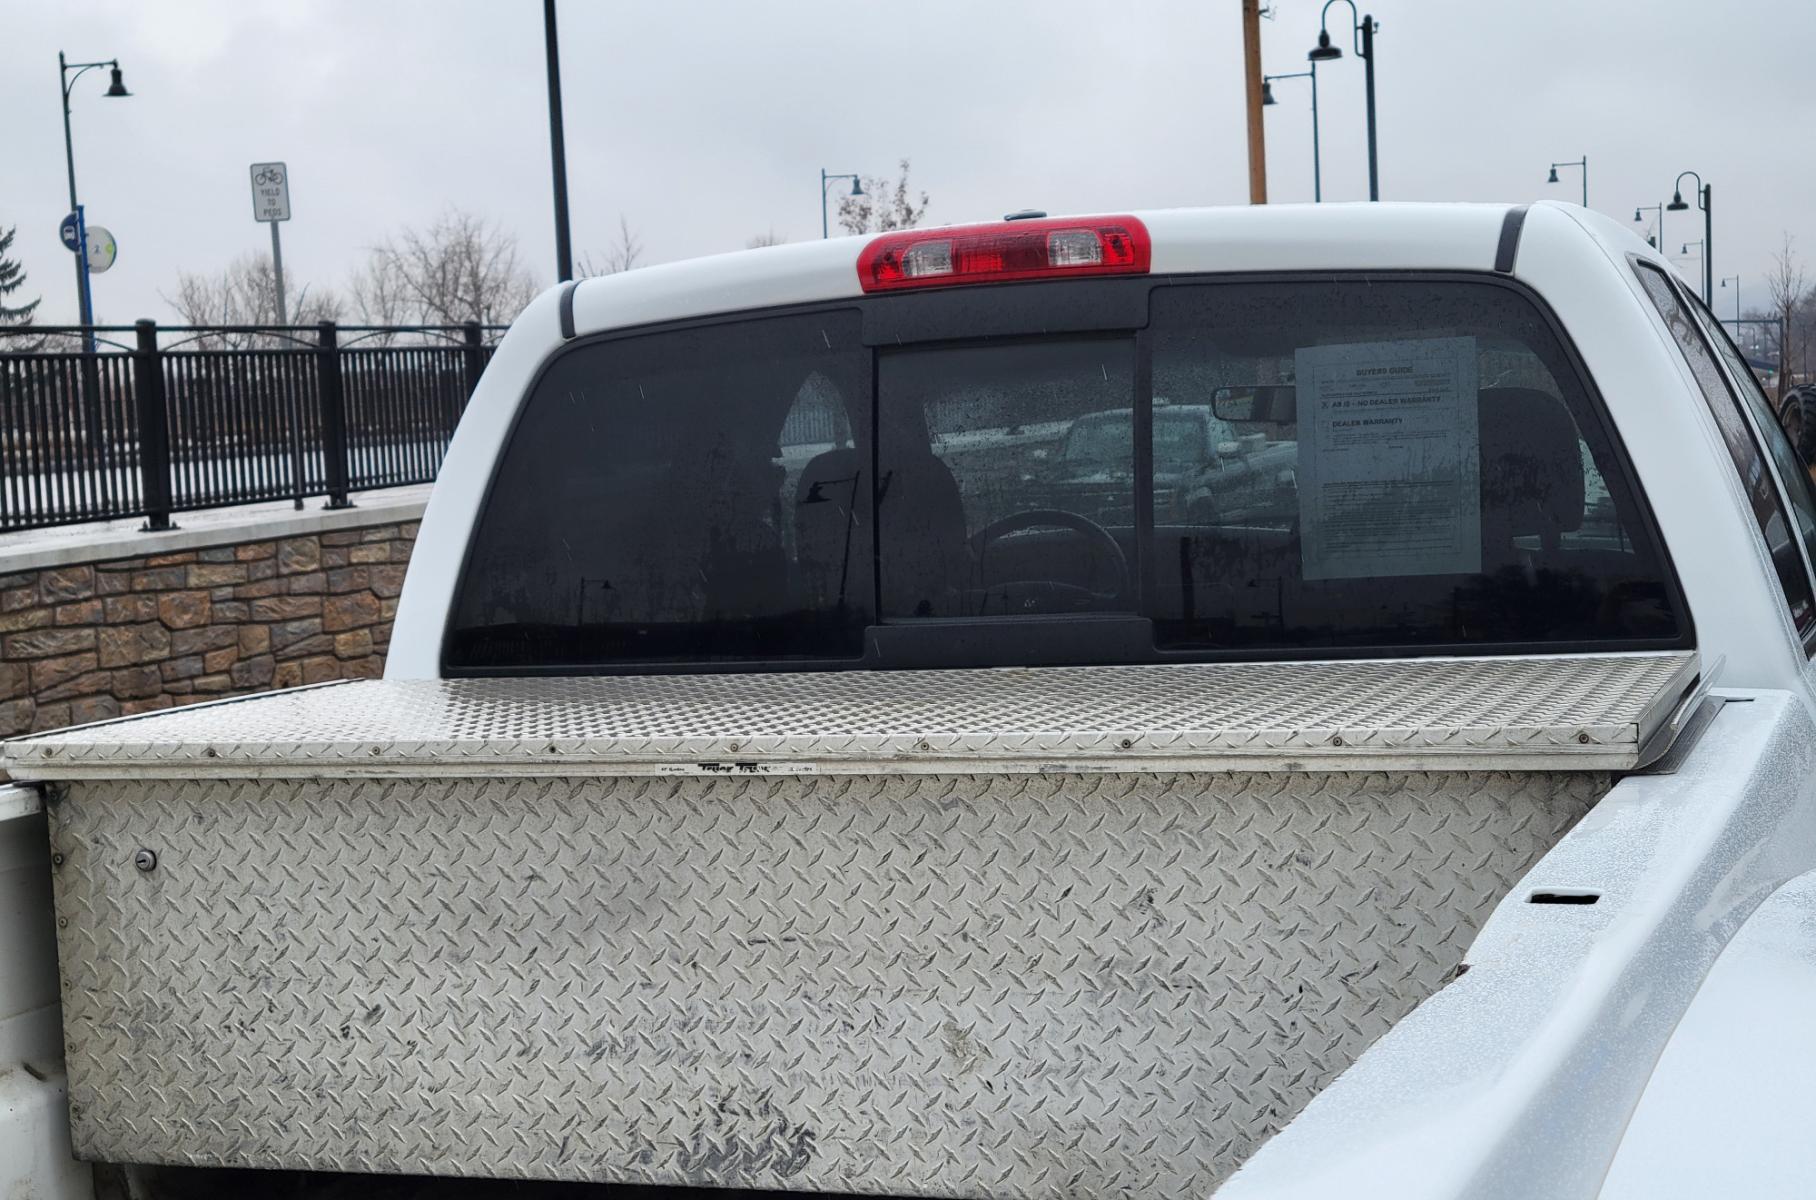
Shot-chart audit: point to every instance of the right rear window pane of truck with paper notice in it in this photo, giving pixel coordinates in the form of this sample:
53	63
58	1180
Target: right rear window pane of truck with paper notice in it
1423	467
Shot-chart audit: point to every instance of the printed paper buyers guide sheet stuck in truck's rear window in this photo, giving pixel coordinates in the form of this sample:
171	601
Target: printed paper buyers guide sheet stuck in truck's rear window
1390	460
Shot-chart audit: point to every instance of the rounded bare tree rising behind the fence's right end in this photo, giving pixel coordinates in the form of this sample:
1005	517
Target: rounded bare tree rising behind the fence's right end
459	270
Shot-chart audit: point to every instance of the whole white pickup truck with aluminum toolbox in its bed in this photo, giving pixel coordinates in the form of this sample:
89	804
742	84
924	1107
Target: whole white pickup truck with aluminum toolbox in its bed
820	754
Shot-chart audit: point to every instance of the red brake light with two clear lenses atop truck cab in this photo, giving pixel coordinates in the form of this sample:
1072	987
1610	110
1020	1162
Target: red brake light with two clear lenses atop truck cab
1049	250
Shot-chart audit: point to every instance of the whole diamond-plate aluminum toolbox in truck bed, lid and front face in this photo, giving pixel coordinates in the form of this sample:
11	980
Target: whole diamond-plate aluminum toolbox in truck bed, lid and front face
1089	932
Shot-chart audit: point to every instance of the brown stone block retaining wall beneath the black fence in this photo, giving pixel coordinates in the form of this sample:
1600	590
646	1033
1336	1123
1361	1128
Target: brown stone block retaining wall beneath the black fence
124	636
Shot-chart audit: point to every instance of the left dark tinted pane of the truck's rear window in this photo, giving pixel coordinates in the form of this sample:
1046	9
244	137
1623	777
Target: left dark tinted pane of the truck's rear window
682	497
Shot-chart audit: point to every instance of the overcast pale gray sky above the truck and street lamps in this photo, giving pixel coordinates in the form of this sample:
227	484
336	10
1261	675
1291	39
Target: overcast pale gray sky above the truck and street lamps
707	123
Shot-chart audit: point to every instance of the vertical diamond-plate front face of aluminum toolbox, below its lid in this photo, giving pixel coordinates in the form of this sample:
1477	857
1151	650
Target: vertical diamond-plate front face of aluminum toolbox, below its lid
1089	985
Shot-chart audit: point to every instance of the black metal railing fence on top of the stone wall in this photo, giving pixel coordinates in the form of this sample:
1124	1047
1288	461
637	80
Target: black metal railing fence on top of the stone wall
195	418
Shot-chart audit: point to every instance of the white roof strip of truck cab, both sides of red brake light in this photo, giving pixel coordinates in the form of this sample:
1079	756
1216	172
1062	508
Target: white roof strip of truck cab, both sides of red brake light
1325	237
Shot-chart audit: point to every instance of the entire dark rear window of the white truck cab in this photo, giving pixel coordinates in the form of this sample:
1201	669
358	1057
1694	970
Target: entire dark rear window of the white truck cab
1268	469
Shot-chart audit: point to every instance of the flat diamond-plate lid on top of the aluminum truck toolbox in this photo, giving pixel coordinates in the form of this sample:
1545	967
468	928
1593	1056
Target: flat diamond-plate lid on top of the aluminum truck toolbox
1561	713
